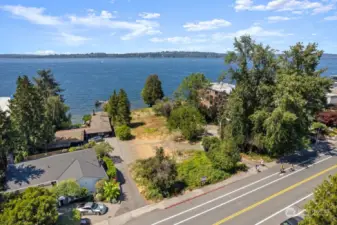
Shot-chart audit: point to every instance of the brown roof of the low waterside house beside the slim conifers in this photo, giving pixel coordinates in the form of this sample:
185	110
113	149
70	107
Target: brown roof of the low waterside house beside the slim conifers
100	123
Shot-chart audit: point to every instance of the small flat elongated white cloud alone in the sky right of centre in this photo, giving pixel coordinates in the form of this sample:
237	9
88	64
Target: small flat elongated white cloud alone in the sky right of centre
207	25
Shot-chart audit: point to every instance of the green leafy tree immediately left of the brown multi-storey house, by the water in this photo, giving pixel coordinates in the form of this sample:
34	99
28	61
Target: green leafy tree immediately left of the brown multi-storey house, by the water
190	88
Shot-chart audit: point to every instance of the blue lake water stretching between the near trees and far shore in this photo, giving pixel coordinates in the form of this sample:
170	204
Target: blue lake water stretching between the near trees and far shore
88	80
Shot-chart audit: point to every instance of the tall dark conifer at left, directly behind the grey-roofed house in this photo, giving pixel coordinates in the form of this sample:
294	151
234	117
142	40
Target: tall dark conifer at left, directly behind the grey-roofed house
32	127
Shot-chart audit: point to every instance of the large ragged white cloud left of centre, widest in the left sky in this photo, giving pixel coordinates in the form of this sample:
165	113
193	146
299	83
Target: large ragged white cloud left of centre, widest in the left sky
137	28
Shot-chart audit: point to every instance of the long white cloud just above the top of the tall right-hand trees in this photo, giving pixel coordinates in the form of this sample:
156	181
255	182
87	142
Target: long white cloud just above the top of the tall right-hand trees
254	31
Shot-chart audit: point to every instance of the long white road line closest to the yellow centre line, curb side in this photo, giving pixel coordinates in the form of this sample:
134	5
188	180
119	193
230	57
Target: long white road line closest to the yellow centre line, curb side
247	193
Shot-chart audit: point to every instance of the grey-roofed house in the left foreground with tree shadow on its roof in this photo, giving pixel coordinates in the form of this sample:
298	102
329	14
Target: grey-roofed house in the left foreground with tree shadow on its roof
82	166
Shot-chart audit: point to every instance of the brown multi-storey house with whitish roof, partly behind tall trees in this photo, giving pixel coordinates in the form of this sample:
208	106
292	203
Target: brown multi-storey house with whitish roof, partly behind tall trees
215	92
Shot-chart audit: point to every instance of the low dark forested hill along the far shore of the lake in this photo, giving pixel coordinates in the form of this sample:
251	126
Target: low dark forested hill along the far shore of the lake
166	54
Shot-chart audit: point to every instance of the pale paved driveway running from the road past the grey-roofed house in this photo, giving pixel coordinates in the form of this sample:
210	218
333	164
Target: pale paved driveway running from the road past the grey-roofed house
131	198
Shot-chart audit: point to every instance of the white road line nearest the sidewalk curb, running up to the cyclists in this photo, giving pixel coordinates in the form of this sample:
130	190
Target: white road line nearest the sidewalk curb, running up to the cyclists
232	192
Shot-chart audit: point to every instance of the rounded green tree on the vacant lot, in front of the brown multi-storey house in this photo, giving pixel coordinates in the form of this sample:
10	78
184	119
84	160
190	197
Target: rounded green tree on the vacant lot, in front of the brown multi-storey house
188	120
